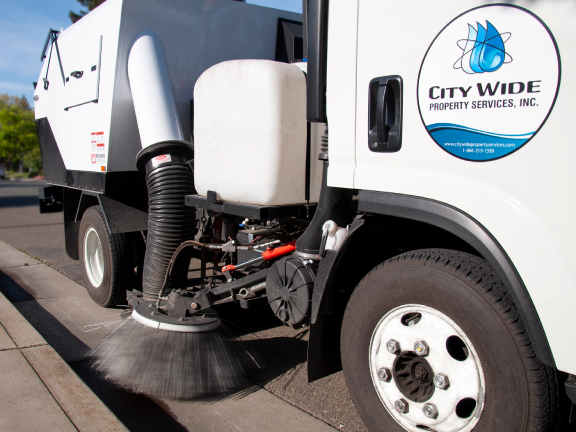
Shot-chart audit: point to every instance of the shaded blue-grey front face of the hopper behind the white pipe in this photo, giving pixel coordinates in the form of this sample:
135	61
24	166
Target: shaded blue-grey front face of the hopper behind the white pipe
195	35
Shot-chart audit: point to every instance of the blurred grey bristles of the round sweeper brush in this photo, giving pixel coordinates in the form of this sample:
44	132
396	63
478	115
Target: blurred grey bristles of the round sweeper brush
171	364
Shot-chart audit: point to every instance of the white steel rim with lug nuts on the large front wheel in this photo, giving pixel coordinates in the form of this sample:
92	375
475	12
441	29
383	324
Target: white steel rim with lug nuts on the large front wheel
451	366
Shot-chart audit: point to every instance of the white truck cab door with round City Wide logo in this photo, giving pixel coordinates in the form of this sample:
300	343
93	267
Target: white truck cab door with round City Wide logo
485	128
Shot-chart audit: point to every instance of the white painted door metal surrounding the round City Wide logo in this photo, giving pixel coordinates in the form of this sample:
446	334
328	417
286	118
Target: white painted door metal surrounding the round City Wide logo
524	199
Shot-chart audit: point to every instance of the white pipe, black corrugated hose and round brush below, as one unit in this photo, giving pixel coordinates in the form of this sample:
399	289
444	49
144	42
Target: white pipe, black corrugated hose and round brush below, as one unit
174	346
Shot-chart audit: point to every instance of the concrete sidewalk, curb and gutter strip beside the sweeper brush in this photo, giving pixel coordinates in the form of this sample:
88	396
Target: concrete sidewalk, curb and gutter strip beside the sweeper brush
40	392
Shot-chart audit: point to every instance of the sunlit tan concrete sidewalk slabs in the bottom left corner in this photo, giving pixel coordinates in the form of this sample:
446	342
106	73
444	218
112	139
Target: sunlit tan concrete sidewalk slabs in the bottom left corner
38	390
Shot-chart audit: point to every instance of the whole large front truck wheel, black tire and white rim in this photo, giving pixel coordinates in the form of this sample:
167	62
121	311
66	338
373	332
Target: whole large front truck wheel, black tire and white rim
430	341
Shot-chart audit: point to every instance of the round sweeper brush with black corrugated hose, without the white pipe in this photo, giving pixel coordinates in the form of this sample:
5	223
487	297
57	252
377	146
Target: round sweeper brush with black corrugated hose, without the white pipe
174	345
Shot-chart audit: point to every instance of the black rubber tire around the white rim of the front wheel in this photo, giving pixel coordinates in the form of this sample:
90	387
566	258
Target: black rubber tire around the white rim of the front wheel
520	392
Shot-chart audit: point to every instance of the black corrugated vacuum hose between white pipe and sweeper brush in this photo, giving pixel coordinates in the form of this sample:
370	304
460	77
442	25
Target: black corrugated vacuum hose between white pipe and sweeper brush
170	222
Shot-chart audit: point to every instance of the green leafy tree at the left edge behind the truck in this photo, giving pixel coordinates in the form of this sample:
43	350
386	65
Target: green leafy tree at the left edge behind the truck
18	133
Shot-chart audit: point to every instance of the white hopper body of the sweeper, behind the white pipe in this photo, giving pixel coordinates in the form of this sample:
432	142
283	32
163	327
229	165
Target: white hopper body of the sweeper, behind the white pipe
195	35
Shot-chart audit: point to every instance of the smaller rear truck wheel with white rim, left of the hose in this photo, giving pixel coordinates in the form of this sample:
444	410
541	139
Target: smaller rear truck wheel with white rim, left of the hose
106	260
